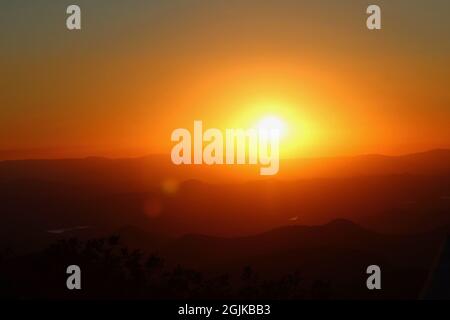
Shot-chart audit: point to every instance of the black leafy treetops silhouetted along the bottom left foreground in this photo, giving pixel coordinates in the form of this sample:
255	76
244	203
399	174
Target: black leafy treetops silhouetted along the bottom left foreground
111	270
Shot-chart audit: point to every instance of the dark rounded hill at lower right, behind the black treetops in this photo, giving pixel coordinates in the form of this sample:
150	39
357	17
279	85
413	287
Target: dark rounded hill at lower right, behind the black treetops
338	252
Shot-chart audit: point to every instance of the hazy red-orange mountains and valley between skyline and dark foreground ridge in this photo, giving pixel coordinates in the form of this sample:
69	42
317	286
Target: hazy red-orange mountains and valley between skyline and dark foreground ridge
407	194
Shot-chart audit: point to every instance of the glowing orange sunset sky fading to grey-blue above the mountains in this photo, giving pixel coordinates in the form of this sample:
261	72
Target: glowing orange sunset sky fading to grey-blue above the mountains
139	69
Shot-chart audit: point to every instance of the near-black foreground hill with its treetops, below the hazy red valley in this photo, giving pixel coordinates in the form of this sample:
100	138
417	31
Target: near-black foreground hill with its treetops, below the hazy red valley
294	262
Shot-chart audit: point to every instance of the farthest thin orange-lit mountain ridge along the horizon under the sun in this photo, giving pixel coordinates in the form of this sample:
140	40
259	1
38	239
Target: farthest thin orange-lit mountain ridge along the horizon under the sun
142	173
